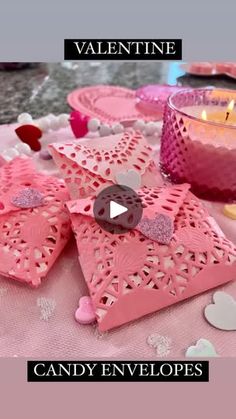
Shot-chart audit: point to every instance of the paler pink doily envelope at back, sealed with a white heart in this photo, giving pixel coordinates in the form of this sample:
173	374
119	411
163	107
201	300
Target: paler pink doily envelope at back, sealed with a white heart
92	164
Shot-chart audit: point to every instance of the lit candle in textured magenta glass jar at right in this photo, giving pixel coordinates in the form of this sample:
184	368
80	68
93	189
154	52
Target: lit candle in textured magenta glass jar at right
201	152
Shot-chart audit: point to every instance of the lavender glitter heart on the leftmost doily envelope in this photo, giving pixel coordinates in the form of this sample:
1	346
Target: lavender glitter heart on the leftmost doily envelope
28	198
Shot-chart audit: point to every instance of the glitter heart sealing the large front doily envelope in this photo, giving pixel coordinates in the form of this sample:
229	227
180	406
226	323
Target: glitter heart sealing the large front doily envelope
159	228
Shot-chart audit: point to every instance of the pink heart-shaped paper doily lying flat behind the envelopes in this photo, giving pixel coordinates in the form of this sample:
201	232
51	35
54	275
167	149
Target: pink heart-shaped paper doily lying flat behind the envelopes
110	104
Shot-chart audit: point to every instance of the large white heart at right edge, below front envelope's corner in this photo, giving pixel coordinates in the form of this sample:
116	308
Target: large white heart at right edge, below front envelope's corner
222	314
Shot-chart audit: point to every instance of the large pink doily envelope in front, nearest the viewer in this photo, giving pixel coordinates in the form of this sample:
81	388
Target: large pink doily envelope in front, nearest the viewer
130	275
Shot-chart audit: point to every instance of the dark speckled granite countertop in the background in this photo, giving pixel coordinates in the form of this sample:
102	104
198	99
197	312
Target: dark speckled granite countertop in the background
43	88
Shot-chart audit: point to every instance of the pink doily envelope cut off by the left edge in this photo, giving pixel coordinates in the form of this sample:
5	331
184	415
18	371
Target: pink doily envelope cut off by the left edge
34	223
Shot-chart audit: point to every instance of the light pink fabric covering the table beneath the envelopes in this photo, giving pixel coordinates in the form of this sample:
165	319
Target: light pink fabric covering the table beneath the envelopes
40	322
